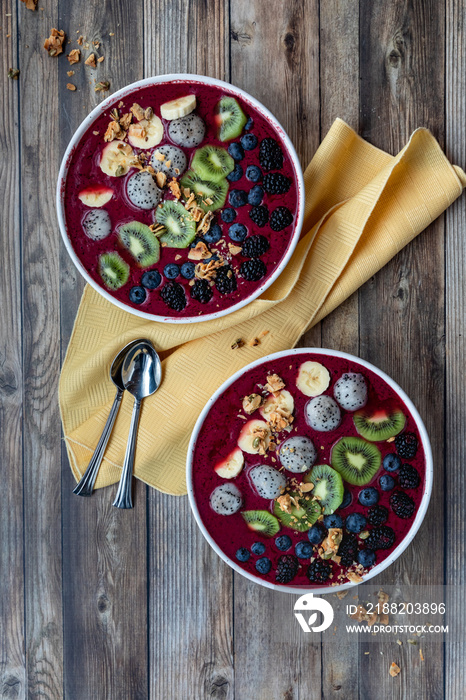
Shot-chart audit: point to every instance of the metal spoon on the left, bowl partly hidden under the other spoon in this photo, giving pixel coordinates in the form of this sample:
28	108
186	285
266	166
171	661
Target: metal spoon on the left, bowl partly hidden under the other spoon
86	485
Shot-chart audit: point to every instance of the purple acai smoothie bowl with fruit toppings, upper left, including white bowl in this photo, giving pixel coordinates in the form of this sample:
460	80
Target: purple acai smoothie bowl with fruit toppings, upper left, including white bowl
180	198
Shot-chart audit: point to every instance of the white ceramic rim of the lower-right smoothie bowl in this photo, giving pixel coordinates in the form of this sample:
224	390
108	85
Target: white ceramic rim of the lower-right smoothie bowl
427	481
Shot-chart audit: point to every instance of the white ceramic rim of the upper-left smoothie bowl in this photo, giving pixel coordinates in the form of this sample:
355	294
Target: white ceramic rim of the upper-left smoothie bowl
158	80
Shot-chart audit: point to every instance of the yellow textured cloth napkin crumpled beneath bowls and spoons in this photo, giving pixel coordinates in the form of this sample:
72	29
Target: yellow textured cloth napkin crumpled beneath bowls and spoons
362	207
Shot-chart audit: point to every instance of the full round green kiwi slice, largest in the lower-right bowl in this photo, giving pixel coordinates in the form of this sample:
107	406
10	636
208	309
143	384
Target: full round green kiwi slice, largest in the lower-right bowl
356	460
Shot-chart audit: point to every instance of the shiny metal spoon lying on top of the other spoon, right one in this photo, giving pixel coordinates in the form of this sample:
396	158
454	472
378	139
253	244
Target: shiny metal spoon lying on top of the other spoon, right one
141	374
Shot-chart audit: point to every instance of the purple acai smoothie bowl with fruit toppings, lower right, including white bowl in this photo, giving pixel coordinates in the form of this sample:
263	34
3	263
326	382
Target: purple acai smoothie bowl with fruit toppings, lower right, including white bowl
309	469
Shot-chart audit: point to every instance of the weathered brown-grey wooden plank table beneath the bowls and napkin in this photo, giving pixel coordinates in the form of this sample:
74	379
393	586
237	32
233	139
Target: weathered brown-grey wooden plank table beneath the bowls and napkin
97	604
